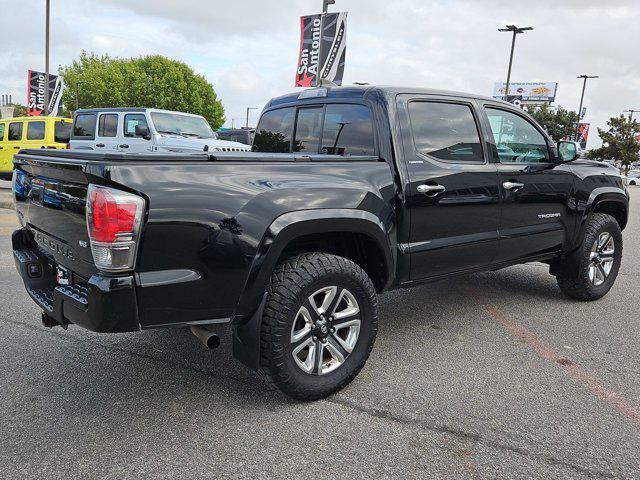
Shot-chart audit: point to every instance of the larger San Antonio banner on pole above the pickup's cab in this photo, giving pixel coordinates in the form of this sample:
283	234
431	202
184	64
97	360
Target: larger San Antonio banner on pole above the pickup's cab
322	49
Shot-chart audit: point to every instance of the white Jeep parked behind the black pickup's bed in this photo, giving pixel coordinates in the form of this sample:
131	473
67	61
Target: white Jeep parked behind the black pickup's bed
139	130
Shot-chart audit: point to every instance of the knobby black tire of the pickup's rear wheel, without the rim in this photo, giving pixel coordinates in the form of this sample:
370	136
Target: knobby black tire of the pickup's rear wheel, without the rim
290	286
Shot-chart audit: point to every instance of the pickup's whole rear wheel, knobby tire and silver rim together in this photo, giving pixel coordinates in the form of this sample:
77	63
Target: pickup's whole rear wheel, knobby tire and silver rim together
319	325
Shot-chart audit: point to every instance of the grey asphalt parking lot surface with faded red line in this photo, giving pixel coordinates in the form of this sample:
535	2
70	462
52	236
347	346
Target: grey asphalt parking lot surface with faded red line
493	375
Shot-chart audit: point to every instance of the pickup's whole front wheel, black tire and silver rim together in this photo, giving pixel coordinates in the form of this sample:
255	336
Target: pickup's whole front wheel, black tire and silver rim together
592	270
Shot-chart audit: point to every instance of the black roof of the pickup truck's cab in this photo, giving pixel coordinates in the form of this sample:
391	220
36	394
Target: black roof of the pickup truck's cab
356	92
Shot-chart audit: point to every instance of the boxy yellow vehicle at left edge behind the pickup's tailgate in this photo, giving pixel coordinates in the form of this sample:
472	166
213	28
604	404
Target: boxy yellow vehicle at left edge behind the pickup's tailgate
30	132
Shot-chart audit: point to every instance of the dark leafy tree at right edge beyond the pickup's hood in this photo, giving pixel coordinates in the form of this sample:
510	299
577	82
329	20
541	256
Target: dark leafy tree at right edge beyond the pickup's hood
619	142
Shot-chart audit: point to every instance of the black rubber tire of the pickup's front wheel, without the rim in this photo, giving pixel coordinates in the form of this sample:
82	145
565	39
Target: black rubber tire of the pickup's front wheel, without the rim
573	274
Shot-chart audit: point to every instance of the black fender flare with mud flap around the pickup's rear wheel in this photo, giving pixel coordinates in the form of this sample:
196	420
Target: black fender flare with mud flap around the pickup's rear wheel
284	229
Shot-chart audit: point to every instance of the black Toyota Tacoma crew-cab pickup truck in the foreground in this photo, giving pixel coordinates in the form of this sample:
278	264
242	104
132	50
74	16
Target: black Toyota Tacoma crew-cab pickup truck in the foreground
351	191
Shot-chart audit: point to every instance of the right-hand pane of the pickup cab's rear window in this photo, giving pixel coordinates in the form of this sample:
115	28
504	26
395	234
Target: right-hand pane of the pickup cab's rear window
348	130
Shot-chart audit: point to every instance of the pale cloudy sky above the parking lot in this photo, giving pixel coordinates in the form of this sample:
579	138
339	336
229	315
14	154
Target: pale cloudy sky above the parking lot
248	49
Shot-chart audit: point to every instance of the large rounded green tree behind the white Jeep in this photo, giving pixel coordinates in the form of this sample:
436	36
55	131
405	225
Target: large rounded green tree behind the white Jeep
152	81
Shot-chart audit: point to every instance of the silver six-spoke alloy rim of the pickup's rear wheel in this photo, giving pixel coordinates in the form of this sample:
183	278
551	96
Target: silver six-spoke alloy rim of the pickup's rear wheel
325	330
